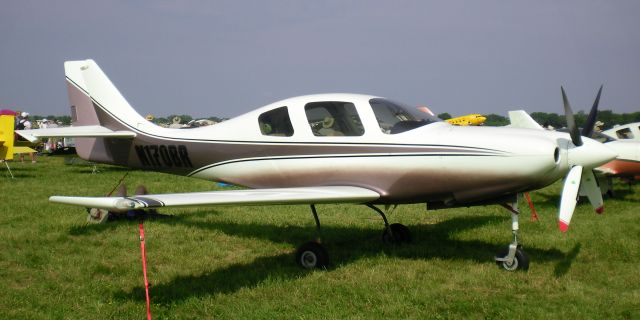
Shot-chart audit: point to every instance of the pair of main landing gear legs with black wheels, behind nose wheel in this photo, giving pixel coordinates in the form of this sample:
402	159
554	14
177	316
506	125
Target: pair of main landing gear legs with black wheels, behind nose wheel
313	255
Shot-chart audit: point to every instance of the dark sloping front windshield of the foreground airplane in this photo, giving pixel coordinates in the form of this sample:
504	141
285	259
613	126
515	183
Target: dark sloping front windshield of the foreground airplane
394	117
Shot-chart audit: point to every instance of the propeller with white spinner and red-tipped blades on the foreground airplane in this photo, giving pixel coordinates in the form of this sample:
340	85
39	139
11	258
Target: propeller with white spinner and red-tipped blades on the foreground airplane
582	158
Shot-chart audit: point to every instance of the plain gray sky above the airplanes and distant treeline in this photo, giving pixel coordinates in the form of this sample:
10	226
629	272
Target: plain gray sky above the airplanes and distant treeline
224	58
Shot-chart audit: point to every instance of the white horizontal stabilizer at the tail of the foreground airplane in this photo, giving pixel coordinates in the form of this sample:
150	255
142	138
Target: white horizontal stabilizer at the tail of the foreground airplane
74	132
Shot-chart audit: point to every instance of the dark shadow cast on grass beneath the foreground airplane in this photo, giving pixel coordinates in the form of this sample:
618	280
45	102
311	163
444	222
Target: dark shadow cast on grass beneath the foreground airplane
345	245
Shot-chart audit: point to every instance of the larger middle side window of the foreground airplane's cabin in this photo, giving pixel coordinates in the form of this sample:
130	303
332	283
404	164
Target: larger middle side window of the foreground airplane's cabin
333	118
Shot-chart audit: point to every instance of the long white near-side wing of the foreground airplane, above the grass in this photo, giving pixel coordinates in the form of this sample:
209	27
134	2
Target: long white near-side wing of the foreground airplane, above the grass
306	195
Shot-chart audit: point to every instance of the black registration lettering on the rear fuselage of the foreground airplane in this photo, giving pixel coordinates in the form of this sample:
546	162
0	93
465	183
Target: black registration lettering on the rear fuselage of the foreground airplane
163	156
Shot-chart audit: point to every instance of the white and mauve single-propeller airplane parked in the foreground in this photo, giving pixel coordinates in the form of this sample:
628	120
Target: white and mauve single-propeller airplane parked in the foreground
328	148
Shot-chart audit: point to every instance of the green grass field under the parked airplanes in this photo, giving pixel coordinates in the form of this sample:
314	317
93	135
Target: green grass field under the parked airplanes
237	262
